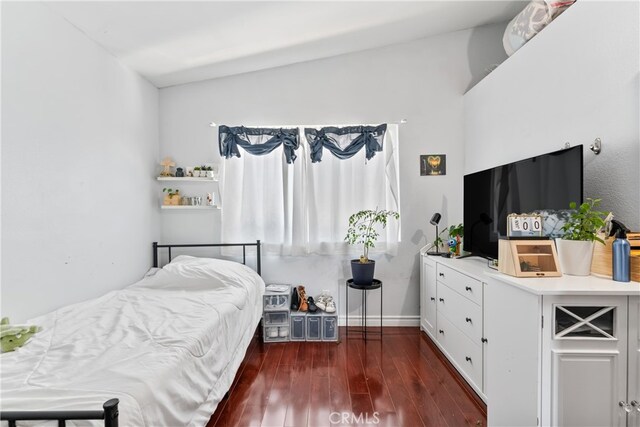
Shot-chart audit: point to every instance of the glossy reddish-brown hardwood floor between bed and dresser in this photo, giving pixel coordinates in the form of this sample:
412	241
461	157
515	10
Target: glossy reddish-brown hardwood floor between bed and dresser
401	380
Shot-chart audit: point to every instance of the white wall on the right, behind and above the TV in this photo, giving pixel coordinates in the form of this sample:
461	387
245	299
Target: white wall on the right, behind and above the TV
575	81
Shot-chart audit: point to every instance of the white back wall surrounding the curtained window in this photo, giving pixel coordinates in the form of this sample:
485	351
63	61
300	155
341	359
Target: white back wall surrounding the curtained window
422	81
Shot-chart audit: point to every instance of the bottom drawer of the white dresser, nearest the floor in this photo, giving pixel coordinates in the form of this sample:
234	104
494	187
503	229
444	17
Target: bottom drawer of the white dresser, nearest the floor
466	354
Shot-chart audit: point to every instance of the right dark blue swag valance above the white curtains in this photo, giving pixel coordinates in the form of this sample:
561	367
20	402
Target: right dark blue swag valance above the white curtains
353	138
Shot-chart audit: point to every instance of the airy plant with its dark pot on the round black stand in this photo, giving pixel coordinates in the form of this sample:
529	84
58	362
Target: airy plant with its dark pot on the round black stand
362	231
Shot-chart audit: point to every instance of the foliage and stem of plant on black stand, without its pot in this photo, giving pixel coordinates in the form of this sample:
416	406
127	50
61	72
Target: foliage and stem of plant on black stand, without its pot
362	229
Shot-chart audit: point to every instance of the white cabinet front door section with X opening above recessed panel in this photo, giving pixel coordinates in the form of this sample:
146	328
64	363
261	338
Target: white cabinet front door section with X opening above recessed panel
584	360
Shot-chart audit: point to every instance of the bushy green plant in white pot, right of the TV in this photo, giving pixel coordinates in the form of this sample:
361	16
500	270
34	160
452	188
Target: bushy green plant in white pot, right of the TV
575	248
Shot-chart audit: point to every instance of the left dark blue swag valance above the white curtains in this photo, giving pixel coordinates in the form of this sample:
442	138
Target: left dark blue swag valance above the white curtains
257	141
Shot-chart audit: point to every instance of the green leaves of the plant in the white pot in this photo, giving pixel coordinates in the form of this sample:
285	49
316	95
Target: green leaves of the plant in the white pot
584	222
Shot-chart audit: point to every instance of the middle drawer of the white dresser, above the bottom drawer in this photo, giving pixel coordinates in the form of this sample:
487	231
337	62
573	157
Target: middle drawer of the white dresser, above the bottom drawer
463	313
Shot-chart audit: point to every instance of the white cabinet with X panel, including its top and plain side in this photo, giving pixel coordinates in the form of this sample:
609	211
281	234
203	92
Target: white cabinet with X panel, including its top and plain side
562	351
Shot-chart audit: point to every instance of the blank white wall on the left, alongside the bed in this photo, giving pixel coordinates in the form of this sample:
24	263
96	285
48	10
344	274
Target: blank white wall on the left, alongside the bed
79	153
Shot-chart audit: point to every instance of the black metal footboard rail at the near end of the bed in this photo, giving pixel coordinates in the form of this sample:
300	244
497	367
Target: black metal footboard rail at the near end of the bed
109	414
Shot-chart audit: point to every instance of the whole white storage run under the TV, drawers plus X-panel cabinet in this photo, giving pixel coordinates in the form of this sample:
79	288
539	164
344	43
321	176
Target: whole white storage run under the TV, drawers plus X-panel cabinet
554	351
